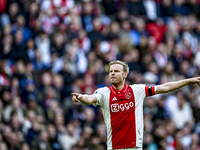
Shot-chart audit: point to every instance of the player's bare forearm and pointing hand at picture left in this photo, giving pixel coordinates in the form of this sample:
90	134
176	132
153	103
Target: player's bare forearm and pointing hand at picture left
84	98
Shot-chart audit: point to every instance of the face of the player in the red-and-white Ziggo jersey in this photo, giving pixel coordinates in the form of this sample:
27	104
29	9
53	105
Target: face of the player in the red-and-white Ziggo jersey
116	74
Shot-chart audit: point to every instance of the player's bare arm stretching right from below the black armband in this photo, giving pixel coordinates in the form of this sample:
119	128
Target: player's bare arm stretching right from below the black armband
171	86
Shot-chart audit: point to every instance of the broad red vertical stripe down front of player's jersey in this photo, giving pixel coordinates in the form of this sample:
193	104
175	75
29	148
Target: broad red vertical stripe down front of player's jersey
122	110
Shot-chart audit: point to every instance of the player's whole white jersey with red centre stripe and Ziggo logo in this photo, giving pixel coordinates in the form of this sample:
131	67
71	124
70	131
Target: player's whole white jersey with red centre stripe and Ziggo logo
123	115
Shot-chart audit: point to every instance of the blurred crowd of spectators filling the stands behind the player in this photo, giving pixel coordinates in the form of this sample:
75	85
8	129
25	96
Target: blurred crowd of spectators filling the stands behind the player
50	48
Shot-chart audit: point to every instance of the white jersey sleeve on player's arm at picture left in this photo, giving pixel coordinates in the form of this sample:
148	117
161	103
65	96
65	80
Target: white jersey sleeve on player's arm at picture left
99	93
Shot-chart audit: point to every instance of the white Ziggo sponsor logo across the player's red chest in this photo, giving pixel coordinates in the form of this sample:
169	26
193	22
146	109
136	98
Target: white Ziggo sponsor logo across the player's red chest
121	107
